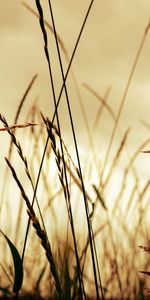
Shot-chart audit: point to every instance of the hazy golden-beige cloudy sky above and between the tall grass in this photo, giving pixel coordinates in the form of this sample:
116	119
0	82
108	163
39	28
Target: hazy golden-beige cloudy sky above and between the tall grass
103	60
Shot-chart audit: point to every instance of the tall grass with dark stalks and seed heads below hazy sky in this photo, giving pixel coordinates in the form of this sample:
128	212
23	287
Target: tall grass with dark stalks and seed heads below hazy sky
79	246
